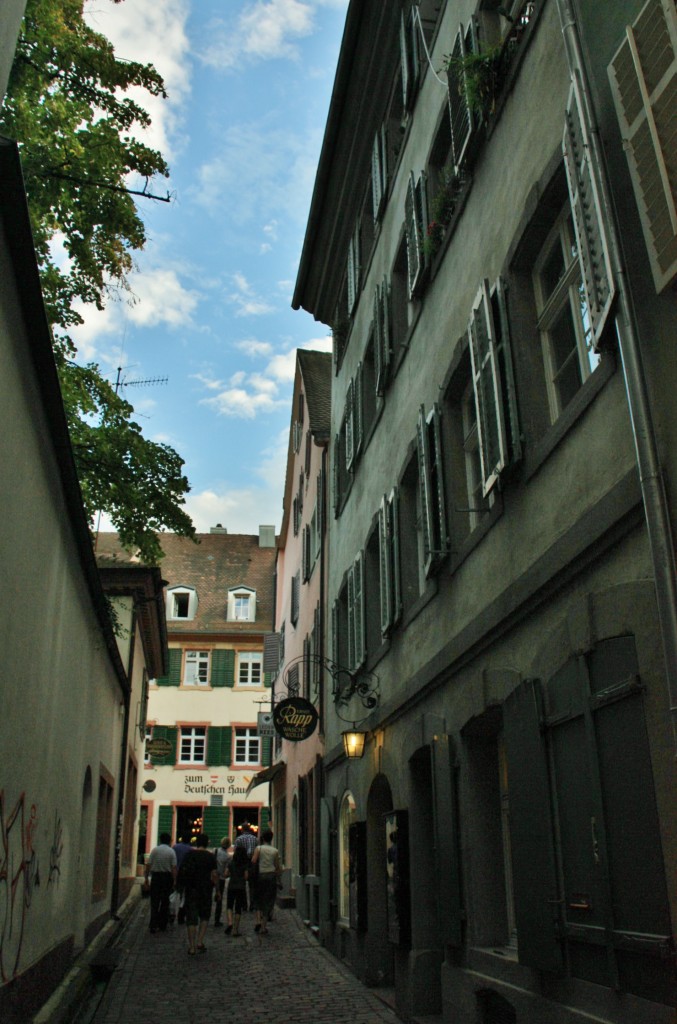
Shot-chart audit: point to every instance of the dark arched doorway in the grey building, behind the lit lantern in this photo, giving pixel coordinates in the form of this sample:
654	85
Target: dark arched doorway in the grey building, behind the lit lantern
378	952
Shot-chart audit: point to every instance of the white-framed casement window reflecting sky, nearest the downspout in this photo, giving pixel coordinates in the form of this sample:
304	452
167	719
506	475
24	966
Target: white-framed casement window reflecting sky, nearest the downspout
563	316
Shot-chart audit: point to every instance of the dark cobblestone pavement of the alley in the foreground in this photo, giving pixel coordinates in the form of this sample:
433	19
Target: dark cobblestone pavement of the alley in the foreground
285	977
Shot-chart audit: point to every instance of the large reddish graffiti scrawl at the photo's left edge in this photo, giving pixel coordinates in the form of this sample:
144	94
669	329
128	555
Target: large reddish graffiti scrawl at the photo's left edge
20	876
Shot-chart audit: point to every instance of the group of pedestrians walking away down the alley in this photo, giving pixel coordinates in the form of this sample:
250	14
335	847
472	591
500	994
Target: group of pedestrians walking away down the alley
249	877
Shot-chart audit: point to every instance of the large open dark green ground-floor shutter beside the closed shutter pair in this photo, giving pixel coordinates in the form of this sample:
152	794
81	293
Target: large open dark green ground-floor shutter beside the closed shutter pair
531	831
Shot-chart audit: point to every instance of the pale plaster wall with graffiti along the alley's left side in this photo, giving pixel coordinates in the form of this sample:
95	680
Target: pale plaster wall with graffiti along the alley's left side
62	705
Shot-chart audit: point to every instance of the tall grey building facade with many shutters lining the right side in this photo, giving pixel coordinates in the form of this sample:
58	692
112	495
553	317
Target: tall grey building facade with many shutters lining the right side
494	243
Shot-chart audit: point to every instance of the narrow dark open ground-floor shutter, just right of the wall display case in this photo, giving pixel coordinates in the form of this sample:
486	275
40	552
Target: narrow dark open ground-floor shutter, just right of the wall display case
447	840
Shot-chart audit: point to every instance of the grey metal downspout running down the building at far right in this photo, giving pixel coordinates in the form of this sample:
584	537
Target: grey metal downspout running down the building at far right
651	476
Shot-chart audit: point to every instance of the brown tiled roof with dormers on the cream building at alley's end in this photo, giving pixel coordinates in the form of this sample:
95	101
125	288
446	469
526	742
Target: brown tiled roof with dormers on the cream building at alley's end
215	566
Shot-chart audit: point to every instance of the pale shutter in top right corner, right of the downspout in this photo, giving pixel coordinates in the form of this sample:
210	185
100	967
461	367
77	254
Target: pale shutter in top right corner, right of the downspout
644	77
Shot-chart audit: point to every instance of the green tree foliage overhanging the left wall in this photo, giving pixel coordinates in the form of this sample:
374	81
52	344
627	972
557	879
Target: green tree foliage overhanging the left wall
68	108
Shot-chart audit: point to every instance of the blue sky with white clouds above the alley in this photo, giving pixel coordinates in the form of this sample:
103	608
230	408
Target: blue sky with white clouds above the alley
249	84
